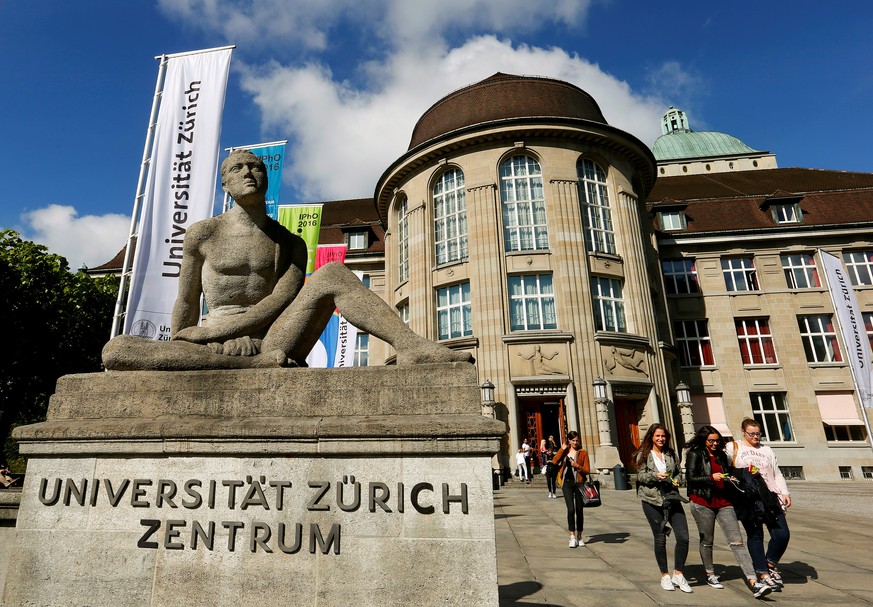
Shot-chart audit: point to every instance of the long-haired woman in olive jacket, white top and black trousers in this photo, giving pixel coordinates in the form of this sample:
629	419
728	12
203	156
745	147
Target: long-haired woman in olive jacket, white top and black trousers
657	478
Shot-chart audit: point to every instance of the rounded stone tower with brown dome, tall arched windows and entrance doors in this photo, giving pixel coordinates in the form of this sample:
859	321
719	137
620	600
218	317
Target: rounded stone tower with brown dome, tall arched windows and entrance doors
517	231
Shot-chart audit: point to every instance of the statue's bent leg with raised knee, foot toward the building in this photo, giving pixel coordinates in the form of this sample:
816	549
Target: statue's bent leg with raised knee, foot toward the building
333	286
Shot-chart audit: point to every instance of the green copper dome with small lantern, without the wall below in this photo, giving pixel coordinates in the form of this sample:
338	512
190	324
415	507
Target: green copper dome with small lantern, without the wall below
679	142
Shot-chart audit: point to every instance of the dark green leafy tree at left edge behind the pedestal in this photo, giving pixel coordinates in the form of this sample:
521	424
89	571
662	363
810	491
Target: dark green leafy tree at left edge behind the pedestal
56	323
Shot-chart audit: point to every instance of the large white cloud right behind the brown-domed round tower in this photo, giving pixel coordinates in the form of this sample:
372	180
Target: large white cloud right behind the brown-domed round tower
341	130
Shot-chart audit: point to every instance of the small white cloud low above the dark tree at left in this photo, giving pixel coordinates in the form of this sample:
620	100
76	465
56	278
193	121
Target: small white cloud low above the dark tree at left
91	239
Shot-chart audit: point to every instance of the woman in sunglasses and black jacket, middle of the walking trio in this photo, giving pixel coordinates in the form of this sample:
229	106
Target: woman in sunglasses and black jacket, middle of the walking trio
708	474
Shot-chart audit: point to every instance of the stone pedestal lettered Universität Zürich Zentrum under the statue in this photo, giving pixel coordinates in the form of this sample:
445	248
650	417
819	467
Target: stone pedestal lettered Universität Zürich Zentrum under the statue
366	486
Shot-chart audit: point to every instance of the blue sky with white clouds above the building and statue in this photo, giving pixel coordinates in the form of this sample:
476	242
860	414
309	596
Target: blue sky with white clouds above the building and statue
345	80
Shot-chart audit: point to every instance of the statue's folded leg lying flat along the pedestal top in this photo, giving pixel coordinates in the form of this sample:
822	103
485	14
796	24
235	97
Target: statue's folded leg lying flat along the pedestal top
130	353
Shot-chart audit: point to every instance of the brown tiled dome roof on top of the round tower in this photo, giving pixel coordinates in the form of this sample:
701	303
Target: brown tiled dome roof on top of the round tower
502	97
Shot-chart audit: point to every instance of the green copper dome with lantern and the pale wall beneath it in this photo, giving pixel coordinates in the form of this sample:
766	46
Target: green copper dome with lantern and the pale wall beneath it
682	151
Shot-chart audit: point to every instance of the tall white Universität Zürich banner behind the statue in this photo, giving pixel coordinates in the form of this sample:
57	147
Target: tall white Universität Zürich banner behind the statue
180	189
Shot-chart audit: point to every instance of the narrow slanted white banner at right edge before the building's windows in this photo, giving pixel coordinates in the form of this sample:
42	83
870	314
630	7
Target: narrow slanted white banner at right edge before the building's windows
851	326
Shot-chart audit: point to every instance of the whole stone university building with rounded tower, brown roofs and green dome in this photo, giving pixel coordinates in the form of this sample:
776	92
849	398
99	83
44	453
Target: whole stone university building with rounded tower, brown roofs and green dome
603	286
